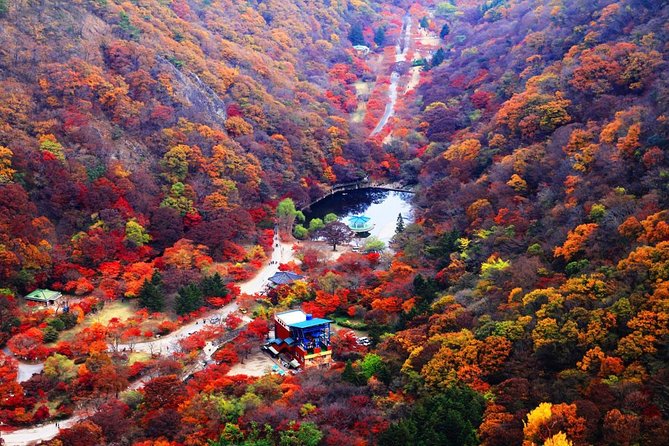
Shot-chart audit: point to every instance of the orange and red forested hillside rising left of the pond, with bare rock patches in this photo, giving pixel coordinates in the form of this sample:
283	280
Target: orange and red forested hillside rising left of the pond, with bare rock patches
184	117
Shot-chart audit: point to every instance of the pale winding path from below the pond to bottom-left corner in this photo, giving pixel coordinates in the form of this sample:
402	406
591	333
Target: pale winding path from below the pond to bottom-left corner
168	343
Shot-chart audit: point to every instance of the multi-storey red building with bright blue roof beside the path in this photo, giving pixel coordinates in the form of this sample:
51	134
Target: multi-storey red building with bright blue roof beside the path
303	338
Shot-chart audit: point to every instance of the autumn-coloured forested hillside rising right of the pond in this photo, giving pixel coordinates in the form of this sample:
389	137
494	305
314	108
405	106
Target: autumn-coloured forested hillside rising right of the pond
544	215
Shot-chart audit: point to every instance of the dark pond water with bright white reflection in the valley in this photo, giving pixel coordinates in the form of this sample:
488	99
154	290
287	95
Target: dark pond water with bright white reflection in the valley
381	206
